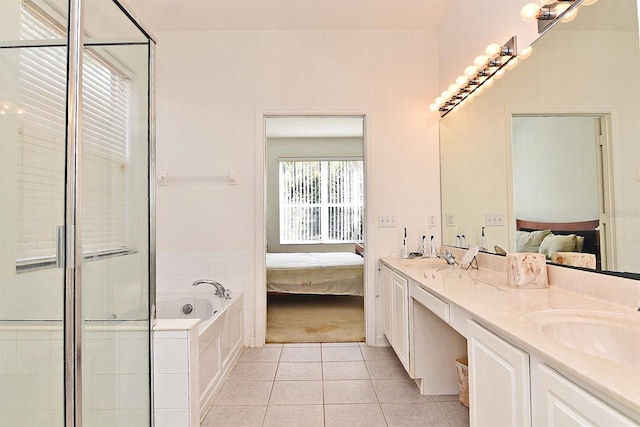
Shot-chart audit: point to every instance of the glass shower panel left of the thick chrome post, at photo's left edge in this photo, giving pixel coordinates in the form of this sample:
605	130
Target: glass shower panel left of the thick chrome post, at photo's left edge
32	188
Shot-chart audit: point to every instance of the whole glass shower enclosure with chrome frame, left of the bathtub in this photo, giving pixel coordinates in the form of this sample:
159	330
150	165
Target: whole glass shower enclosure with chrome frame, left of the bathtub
76	214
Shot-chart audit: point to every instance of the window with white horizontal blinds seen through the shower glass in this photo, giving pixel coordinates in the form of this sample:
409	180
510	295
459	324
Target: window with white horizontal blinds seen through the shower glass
41	136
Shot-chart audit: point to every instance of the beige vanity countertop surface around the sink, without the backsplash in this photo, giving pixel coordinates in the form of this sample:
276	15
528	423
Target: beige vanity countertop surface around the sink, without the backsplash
510	313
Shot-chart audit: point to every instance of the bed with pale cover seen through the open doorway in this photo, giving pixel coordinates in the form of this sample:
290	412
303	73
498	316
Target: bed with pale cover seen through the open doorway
330	273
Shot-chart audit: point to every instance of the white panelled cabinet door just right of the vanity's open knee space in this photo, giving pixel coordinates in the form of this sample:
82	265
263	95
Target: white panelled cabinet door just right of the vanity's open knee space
499	393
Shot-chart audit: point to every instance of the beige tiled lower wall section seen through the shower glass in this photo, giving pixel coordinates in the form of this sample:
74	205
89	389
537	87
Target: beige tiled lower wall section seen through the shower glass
115	373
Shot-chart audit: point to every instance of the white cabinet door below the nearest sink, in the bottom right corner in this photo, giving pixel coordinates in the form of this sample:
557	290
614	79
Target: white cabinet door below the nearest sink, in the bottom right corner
562	403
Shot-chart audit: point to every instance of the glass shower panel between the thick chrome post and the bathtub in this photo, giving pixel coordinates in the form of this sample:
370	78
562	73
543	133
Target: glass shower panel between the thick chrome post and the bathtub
115	200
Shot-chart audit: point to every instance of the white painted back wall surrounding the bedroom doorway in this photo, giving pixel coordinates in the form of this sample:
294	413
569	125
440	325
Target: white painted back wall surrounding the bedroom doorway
212	87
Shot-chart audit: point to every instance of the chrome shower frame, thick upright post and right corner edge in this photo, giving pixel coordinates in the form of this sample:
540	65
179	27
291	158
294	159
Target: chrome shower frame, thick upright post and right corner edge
73	254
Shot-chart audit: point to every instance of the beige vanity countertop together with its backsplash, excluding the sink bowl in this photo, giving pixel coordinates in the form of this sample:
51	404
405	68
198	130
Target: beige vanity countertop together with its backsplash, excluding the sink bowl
484	296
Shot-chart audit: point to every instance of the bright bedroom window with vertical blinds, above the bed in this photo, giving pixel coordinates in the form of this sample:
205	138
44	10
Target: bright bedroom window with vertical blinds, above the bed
321	201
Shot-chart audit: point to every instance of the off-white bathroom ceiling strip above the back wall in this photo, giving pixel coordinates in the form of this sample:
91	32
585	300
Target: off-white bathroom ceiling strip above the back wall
198	15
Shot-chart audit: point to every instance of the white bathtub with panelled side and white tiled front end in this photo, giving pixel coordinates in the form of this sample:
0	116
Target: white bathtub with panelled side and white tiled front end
193	355
